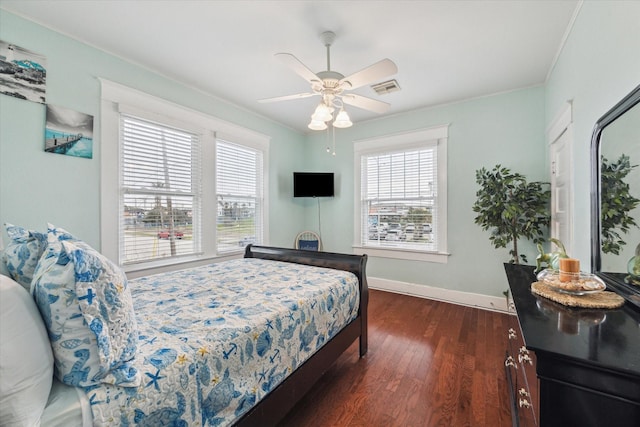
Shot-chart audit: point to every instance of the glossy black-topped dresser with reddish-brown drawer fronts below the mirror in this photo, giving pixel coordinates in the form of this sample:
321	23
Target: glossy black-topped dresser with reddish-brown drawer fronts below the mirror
587	362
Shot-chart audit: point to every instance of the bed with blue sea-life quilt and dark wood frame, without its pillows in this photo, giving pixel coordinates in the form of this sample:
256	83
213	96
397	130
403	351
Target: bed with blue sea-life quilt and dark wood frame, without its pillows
183	379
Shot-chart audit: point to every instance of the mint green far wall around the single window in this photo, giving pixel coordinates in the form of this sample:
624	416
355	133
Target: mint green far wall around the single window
507	129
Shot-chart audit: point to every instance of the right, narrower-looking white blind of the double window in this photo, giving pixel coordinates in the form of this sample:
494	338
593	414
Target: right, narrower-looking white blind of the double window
239	187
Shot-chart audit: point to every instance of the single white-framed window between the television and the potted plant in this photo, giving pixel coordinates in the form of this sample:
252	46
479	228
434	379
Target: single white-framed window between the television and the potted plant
402	195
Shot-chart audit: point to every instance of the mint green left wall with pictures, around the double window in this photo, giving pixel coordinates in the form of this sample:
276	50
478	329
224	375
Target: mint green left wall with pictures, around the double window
38	187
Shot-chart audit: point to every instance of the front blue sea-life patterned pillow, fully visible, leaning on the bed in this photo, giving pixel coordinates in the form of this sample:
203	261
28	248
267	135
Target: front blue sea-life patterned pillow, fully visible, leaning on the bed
86	304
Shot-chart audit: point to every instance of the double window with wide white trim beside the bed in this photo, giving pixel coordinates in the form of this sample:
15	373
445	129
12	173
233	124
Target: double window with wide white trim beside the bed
164	170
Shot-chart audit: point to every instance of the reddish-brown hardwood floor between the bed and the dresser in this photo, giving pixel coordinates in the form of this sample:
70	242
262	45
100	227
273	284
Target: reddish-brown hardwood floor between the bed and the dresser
429	364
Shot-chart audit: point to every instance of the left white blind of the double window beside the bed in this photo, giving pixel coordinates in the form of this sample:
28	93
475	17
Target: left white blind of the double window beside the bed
160	191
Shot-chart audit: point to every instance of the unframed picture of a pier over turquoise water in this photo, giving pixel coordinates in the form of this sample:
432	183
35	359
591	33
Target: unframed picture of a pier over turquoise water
68	132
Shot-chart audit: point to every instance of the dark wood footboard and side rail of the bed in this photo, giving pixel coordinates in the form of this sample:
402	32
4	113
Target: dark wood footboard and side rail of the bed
275	405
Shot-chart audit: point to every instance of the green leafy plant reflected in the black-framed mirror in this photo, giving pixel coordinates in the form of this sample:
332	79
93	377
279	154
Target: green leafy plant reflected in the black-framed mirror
616	203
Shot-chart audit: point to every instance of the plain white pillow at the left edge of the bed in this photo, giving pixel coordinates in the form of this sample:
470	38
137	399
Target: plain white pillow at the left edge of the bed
26	360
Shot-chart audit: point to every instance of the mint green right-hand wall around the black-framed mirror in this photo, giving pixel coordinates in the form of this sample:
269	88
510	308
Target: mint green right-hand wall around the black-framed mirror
598	66
